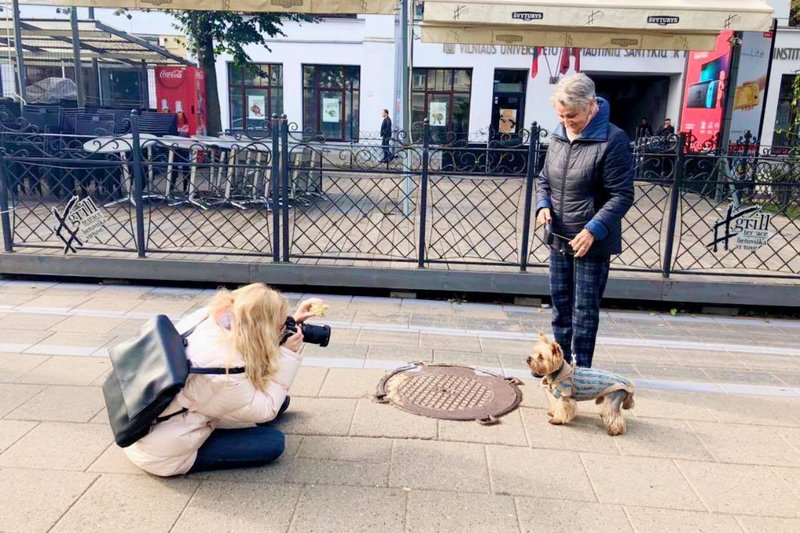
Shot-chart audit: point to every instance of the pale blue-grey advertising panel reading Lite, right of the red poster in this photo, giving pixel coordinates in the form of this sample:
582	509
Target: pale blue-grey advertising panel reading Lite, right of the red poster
751	83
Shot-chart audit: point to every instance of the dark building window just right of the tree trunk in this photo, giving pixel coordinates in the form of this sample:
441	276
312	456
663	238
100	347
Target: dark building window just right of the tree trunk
255	93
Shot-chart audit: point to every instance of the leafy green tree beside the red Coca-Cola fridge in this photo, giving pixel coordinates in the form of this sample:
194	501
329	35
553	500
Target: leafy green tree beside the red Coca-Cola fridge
211	33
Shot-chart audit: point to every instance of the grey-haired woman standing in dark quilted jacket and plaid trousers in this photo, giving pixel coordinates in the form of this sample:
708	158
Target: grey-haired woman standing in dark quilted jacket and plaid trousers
583	192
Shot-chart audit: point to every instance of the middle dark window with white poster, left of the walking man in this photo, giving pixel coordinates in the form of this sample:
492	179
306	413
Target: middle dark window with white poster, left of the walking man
331	101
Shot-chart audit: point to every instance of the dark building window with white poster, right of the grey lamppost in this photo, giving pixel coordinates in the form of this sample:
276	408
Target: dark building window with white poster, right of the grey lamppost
443	97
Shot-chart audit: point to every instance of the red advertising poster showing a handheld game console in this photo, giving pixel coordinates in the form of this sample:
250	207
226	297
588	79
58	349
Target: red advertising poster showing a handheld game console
705	90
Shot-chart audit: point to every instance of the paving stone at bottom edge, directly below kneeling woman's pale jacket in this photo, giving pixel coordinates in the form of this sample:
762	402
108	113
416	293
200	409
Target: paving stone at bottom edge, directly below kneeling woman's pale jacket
129	503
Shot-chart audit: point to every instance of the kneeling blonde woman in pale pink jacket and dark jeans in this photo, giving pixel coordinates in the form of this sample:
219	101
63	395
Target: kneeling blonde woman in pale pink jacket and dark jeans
218	415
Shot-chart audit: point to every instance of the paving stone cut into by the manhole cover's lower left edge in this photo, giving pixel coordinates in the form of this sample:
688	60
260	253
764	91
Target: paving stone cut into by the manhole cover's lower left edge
385	420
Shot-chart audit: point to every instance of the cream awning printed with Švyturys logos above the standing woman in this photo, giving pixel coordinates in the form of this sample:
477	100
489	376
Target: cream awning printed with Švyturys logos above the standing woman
636	24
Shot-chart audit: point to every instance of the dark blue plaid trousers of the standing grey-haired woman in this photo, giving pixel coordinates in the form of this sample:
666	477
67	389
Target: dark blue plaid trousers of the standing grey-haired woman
576	287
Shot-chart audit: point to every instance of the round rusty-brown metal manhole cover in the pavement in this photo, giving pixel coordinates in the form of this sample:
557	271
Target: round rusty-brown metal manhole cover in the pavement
450	392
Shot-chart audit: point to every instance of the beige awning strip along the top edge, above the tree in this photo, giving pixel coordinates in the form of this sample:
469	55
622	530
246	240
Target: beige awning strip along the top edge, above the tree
344	7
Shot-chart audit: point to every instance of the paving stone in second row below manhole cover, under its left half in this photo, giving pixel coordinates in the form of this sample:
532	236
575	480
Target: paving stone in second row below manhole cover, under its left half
450	466
